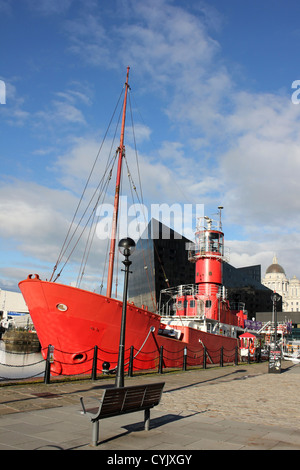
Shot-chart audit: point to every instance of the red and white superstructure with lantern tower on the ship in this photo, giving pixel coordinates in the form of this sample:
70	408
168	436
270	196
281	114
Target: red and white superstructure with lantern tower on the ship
204	304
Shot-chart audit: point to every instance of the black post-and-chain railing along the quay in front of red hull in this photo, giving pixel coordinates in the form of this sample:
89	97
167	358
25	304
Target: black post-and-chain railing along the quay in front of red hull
96	361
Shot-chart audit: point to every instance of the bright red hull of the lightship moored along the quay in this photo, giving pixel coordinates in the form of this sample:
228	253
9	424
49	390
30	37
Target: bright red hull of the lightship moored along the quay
90	320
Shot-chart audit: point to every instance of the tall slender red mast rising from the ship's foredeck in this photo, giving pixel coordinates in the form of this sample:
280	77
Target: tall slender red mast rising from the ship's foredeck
121	150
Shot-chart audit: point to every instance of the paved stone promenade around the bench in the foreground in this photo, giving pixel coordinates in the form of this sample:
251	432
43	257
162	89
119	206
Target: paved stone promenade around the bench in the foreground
231	408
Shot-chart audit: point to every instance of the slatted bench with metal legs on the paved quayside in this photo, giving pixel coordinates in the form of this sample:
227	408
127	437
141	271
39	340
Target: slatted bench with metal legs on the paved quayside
118	401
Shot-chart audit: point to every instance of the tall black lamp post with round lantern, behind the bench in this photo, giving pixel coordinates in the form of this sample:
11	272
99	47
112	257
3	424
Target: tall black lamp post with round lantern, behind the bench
126	248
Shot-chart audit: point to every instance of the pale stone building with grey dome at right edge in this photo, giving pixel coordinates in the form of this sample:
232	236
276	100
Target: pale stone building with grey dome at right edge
276	280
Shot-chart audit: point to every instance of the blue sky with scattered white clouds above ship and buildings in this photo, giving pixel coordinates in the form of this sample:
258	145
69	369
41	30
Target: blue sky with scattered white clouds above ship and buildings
215	125
